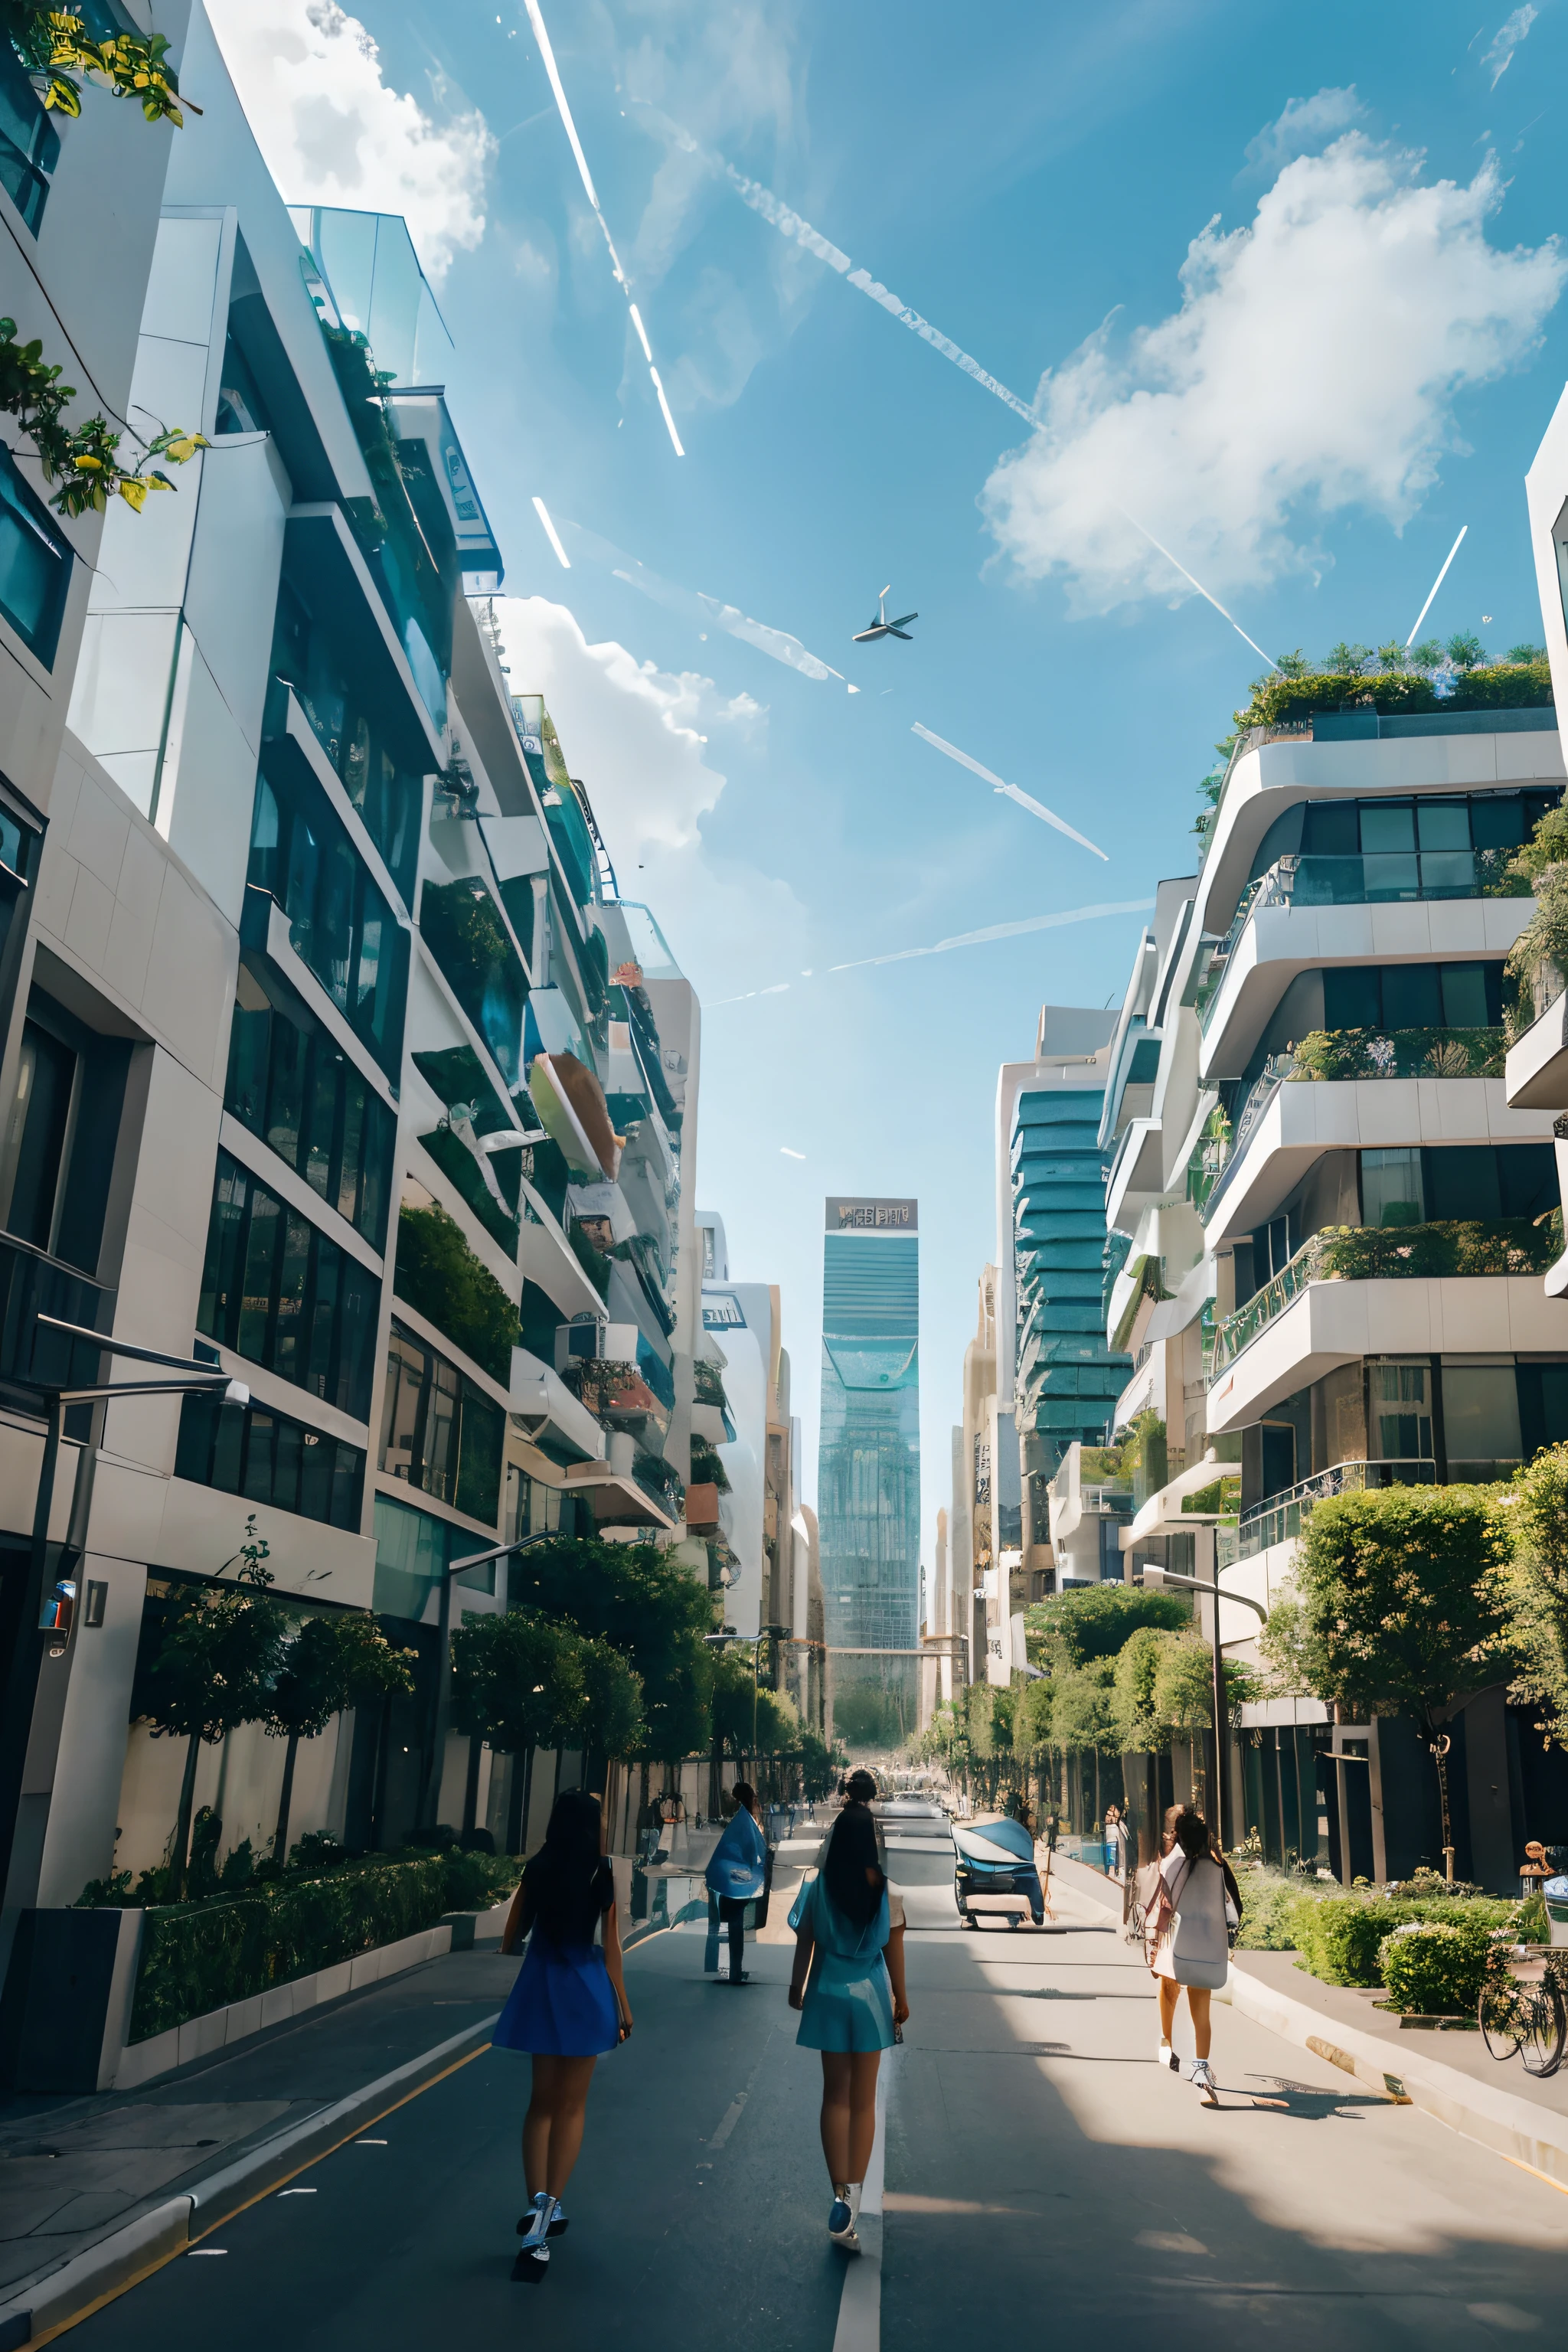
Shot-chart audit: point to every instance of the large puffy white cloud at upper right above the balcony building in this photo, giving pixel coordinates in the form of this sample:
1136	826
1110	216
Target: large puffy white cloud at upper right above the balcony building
1313	366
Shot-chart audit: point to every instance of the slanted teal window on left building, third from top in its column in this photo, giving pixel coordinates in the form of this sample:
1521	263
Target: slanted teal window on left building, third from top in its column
295	1088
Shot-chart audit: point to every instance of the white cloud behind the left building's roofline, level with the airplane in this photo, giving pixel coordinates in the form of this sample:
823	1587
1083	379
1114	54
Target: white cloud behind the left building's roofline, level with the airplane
643	740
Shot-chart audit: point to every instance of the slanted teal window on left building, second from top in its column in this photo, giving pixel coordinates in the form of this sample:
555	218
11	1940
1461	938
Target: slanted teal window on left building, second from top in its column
340	923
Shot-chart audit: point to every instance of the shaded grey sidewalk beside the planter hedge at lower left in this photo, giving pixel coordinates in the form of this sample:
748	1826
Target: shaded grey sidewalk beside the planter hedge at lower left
76	2172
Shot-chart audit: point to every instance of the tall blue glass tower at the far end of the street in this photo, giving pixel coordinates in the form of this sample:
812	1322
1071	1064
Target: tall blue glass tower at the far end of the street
869	1471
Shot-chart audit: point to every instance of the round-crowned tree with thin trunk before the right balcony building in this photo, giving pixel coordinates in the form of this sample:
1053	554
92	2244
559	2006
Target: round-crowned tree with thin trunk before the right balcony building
1400	1608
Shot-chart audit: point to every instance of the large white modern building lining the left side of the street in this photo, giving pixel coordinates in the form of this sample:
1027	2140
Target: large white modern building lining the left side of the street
328	1045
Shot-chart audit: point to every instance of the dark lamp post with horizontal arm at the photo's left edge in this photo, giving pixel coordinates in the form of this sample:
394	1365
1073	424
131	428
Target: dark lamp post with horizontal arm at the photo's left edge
27	1659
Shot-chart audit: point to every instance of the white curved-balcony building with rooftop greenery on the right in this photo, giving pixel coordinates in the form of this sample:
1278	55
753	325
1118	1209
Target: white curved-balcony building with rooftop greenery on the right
1334	1215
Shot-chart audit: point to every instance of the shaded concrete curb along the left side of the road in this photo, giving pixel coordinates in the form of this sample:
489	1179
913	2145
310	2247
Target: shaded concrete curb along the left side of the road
55	2299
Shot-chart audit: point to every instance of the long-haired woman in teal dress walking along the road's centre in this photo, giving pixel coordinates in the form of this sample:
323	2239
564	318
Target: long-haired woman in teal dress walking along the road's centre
850	1989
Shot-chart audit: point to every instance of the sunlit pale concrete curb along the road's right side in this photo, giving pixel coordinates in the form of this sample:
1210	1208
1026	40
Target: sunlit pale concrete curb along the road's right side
1501	2120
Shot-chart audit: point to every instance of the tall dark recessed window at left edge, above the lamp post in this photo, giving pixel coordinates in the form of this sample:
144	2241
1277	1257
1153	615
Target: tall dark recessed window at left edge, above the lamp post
62	1132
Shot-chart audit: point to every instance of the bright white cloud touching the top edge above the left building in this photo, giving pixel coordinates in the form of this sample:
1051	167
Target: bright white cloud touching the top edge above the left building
333	133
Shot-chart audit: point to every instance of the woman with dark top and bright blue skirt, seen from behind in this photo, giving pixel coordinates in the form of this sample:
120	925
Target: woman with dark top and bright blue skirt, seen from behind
568	2007
